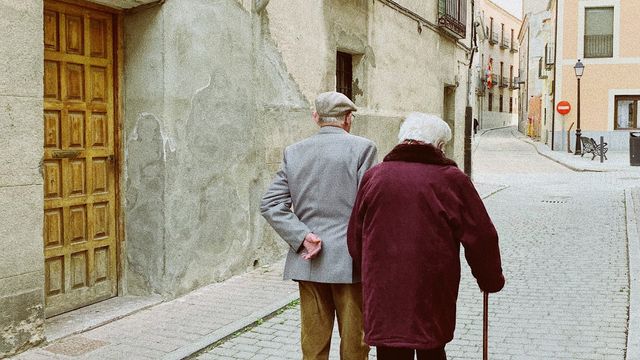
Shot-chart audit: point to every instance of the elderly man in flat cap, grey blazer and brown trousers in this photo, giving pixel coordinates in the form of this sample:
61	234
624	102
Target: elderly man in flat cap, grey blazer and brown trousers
309	204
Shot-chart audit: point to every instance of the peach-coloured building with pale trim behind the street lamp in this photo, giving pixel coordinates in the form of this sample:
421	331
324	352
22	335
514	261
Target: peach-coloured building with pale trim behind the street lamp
604	35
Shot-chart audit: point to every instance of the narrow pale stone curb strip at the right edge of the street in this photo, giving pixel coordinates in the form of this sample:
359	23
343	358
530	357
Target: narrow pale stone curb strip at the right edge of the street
633	243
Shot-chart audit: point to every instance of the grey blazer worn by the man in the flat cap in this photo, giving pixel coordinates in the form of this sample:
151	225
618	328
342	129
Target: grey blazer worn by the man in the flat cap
314	191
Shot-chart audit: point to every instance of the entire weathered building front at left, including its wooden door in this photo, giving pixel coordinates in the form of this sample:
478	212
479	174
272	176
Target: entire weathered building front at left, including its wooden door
138	135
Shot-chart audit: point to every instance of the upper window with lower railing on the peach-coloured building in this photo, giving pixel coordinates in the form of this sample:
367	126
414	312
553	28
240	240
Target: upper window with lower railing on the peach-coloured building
598	32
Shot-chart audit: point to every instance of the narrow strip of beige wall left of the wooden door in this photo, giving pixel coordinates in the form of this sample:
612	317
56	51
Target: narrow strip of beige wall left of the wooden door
21	139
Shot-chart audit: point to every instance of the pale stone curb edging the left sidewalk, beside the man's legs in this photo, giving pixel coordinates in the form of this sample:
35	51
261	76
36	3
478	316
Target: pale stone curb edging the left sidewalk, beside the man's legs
230	329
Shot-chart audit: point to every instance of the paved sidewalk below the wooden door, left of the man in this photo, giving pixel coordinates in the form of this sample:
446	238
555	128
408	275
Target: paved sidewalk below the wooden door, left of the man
181	327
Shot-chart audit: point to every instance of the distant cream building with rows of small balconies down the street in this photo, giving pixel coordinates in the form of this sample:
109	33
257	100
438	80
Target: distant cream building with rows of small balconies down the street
496	65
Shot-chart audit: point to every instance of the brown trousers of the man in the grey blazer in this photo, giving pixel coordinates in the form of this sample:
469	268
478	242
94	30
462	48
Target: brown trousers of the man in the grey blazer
319	304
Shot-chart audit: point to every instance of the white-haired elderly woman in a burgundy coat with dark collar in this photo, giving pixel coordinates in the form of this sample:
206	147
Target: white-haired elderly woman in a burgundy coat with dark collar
412	212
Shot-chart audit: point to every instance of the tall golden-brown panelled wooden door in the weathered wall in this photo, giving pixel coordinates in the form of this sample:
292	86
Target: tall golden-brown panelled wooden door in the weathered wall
79	168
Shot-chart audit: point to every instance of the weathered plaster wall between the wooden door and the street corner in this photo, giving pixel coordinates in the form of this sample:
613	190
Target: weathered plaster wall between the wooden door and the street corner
211	103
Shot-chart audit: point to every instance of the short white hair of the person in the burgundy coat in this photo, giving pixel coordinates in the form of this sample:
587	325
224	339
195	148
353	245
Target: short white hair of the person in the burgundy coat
428	128
